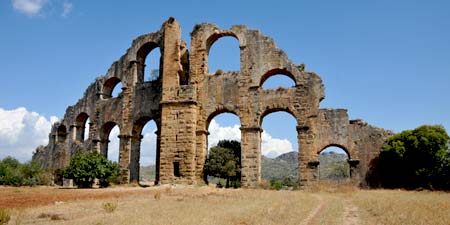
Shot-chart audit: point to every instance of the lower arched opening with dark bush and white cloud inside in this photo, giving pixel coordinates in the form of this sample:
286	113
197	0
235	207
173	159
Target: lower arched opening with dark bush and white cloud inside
224	132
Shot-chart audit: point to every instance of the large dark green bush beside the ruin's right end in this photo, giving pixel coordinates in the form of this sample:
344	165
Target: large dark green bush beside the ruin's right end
417	158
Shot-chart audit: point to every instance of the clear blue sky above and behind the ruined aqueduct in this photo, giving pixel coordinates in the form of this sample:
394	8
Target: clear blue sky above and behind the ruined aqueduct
387	62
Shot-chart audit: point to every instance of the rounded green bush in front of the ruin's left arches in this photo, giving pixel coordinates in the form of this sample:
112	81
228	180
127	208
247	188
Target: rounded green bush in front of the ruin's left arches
84	168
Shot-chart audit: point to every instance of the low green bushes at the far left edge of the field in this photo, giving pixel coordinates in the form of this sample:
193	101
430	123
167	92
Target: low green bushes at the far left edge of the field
13	173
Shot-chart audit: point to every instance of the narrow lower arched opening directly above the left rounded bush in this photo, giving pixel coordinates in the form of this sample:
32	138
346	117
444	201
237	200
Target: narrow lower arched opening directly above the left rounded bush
110	140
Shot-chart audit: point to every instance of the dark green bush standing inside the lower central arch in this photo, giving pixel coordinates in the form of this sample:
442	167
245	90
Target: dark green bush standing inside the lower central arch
224	161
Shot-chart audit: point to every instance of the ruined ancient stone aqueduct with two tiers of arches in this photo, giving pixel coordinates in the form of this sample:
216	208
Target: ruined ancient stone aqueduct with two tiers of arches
185	98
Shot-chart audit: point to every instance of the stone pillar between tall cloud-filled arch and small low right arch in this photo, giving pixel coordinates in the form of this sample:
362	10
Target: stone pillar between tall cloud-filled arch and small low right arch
308	171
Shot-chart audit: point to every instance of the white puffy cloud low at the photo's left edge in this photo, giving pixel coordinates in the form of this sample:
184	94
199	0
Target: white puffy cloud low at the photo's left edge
21	131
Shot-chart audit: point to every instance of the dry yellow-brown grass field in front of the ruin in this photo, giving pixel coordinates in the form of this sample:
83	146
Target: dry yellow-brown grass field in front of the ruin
325	204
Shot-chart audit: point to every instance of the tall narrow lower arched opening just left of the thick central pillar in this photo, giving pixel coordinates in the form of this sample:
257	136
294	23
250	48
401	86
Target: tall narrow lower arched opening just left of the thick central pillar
147	129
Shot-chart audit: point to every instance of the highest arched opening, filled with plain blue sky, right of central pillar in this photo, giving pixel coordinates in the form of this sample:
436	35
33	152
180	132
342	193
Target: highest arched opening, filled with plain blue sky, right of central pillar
224	54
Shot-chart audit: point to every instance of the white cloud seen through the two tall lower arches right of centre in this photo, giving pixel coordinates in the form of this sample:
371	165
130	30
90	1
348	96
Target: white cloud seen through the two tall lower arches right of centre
270	147
